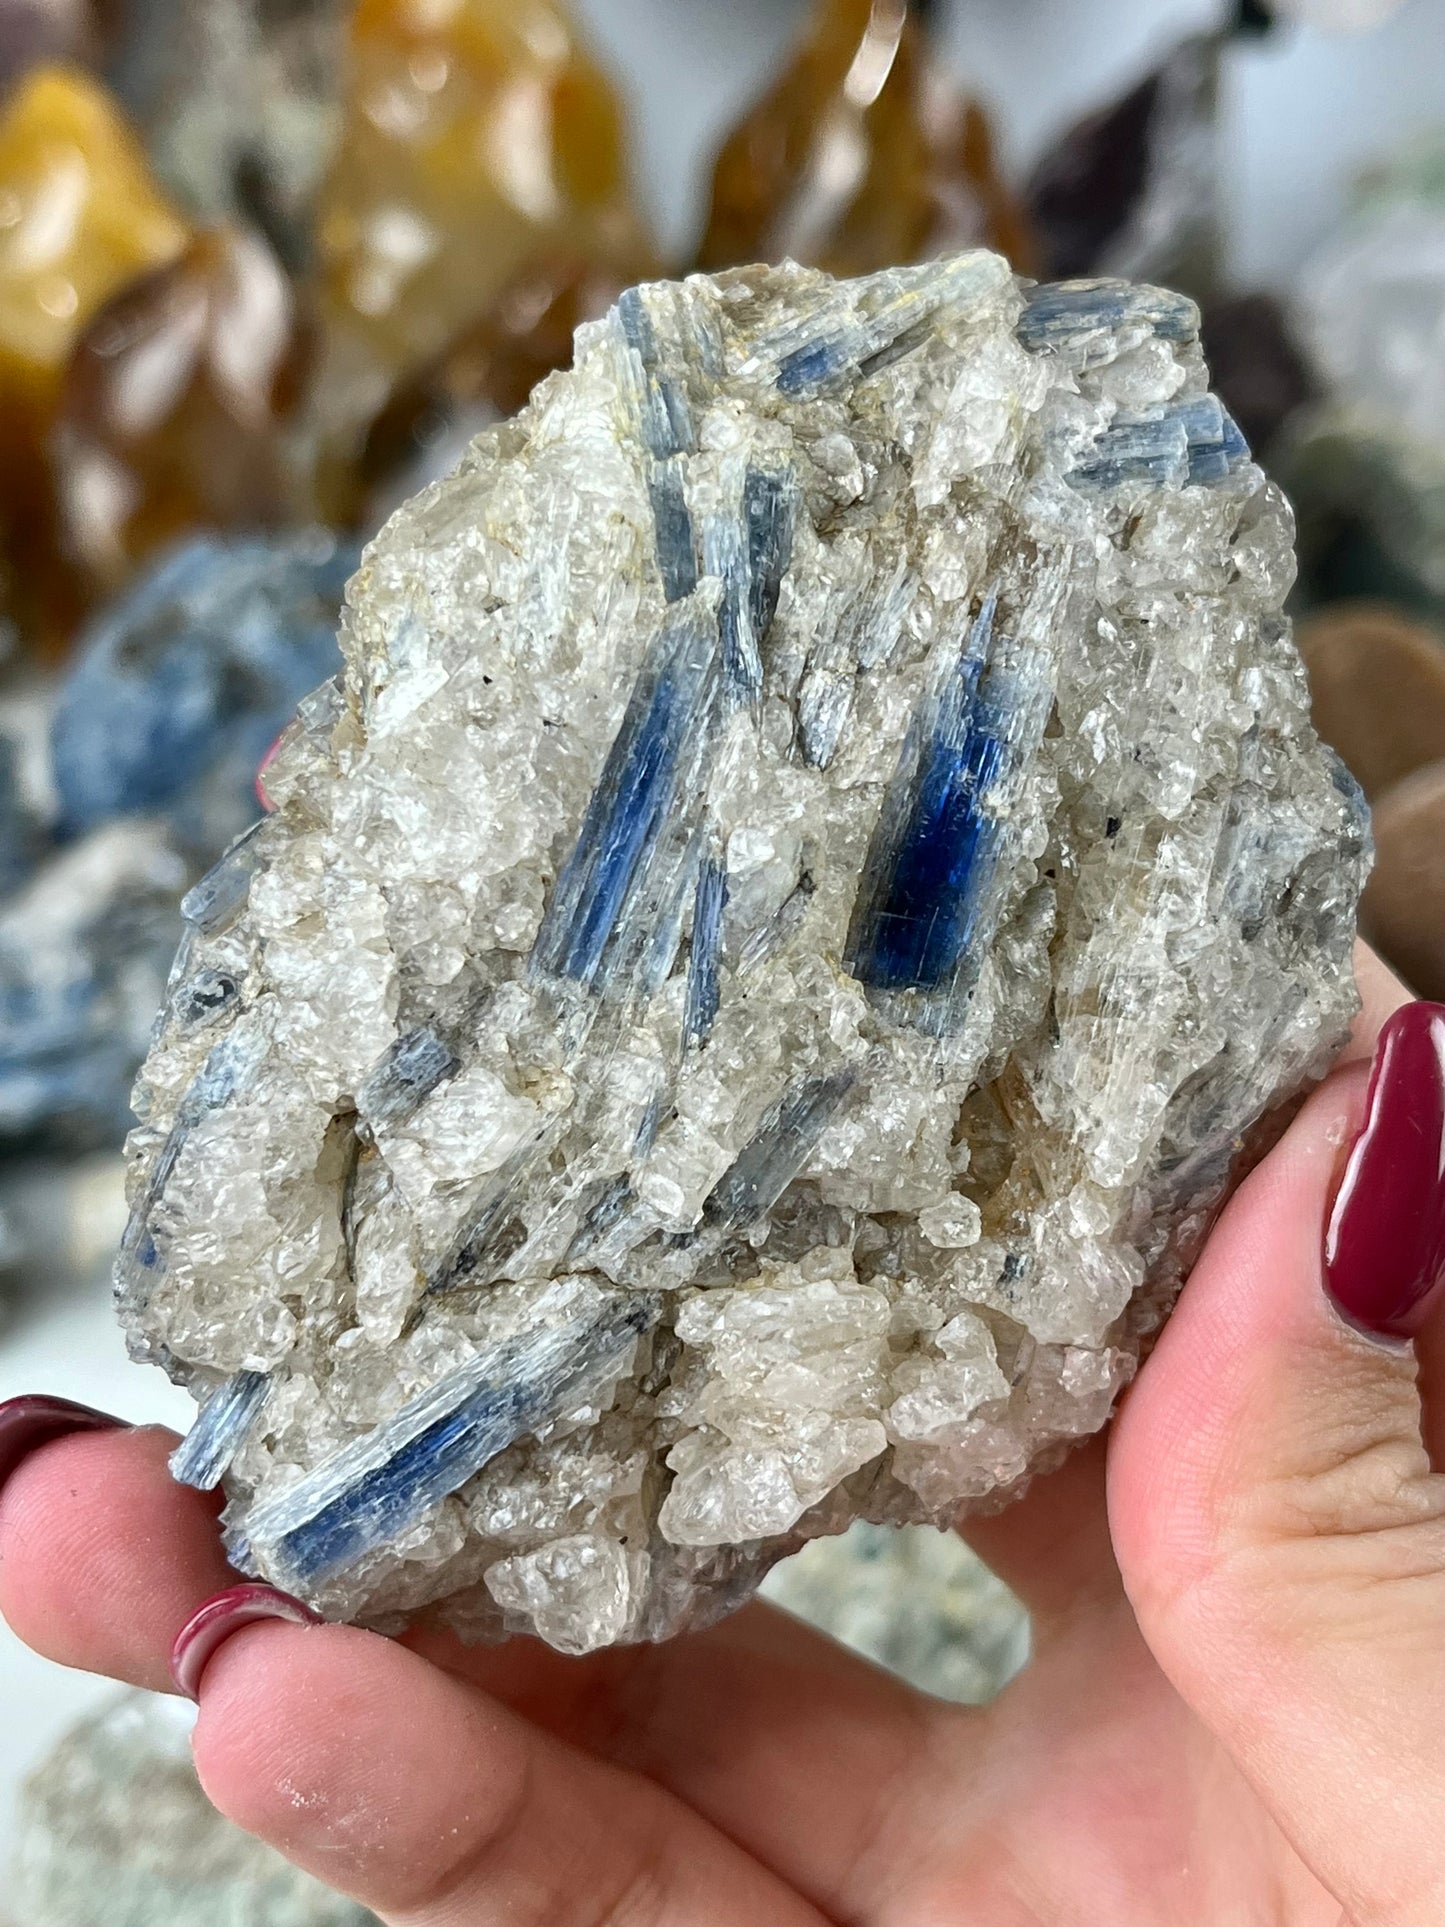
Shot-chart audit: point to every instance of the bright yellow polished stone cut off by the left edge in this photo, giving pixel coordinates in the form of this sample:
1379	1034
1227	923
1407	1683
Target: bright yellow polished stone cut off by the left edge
80	217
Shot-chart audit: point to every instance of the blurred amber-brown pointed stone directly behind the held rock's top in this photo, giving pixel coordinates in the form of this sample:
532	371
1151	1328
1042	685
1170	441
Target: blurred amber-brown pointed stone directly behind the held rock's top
860	157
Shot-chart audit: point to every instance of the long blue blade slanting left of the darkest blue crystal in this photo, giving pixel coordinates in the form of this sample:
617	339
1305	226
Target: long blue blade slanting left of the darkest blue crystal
633	803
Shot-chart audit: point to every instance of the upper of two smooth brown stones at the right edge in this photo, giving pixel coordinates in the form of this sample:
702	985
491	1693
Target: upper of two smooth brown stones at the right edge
1379	689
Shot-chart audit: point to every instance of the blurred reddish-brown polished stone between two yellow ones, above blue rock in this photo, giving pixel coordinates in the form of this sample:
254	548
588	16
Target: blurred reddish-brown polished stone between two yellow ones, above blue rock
176	406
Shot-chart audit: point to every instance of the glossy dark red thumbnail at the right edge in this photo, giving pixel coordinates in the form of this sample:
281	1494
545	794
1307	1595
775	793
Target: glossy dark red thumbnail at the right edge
1386	1236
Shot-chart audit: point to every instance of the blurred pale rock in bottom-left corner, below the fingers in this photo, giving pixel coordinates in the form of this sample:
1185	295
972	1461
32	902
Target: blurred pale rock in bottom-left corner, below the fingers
115	1832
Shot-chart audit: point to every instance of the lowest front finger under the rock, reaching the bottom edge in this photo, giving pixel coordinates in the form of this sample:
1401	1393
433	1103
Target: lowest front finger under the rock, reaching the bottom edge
436	1807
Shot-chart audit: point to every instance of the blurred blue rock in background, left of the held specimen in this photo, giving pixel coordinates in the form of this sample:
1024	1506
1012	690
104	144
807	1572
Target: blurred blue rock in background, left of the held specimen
182	685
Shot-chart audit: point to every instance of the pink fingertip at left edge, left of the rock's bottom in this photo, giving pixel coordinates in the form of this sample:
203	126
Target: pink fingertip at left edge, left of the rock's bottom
103	1556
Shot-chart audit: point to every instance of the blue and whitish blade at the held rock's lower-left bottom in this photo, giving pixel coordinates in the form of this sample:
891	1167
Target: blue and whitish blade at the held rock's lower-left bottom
375	1491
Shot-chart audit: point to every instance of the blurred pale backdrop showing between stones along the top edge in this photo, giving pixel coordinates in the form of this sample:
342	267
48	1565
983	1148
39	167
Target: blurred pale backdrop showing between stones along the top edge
1303	113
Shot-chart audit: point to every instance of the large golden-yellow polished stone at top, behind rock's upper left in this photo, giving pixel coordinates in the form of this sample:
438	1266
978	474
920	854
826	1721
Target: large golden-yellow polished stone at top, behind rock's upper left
475	134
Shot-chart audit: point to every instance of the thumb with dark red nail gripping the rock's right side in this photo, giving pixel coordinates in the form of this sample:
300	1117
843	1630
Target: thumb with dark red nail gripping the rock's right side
1273	1498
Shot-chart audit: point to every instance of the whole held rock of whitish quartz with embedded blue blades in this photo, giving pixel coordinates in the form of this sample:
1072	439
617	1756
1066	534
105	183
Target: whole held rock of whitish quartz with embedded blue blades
764	964
